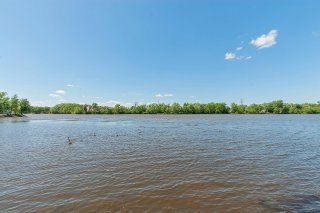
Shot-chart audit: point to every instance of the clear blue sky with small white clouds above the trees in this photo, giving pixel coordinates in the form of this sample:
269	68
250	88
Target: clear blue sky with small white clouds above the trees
115	51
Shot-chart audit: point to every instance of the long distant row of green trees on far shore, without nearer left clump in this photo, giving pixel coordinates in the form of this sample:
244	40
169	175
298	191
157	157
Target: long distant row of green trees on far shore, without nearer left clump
274	107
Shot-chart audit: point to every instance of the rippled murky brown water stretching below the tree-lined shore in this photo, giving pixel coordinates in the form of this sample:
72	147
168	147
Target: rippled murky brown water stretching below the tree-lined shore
160	163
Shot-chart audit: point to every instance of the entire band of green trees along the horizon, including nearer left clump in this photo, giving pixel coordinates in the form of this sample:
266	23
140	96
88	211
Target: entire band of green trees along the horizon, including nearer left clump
17	106
